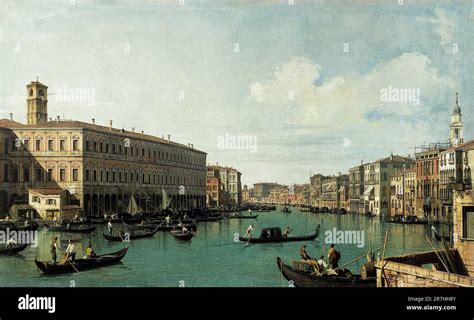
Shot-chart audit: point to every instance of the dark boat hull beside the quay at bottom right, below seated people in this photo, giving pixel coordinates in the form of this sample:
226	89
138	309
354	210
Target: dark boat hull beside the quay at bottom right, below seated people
306	279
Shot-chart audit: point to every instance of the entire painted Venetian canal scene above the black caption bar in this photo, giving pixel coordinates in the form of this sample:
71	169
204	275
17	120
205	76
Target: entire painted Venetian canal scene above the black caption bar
237	144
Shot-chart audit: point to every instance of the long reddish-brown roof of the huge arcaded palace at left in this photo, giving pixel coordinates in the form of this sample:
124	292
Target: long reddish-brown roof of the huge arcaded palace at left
73	124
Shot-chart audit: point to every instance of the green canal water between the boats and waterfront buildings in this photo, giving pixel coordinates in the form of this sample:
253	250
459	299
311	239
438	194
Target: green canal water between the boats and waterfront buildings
212	258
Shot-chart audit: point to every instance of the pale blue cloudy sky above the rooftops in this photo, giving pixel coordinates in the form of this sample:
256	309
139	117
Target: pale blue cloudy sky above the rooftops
277	89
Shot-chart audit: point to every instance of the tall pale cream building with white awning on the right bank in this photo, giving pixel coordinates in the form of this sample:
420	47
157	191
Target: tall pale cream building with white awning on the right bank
377	182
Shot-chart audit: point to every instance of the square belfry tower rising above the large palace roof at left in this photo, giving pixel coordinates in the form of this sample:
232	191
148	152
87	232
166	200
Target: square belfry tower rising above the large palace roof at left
37	102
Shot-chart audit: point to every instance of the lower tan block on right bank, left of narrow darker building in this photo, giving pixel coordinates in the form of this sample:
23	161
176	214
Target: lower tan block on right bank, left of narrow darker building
335	191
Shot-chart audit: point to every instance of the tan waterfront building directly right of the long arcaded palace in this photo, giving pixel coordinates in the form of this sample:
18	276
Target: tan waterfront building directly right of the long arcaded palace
230	184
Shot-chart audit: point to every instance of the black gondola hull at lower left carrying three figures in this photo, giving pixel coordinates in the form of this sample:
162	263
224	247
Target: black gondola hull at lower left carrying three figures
81	264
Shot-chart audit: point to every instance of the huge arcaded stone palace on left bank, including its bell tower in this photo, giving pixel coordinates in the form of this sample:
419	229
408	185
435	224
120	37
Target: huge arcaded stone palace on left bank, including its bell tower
98	167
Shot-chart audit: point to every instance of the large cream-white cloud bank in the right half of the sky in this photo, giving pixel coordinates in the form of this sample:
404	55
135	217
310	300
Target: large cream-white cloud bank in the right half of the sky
348	99
